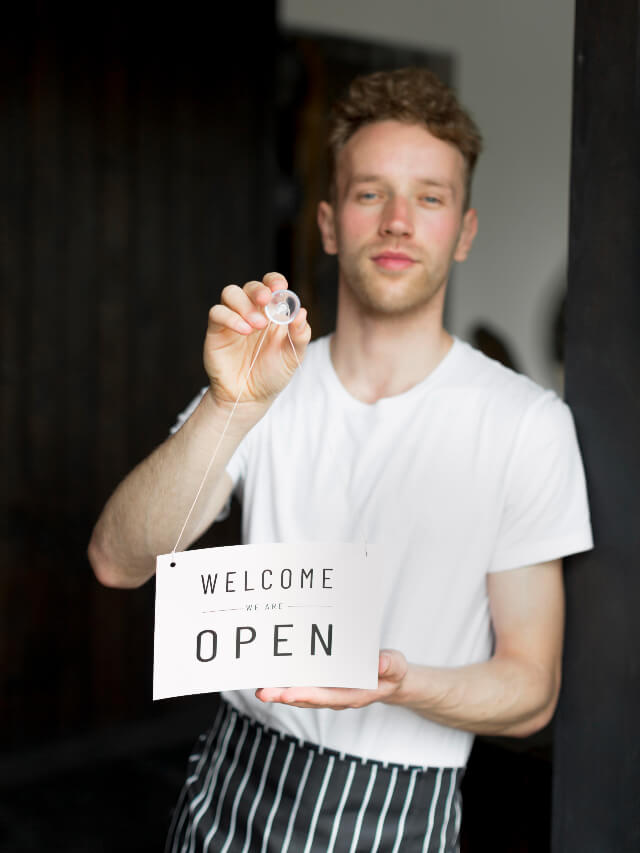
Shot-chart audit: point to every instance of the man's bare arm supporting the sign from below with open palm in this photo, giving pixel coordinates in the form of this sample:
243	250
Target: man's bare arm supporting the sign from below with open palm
513	693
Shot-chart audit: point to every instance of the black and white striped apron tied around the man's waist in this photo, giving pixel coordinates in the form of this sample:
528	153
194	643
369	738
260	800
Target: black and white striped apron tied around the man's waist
251	789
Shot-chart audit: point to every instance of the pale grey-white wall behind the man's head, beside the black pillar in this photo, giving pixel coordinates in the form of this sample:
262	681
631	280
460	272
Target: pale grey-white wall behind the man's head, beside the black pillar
513	72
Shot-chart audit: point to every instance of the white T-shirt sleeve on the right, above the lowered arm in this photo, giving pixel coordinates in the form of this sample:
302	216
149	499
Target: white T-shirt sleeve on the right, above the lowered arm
545	513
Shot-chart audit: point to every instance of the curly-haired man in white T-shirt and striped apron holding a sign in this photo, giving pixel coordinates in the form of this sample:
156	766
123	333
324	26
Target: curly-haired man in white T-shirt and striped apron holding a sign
398	433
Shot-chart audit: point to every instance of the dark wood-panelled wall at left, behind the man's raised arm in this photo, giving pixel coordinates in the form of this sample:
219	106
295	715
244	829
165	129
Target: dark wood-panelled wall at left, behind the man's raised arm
137	178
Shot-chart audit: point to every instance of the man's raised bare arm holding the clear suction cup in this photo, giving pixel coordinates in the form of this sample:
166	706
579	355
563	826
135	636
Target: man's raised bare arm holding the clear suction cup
145	514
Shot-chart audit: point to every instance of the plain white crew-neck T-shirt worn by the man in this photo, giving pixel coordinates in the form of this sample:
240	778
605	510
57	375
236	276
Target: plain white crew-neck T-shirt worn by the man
474	470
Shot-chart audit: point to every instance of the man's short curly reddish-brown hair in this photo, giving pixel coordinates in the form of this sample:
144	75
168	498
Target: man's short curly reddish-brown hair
411	95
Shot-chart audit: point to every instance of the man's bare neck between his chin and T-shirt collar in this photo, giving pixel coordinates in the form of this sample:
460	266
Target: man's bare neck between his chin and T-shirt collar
378	356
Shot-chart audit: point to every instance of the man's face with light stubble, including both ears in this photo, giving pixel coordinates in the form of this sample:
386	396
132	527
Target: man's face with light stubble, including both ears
398	220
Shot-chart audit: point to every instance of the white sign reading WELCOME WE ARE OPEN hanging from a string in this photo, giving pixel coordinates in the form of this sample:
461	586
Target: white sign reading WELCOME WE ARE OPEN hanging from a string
253	616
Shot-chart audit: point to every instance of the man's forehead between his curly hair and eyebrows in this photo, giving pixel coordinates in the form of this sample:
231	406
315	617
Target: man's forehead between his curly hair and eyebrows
392	150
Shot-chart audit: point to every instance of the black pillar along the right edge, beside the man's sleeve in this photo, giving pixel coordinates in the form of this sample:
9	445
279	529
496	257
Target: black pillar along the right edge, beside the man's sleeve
596	797
